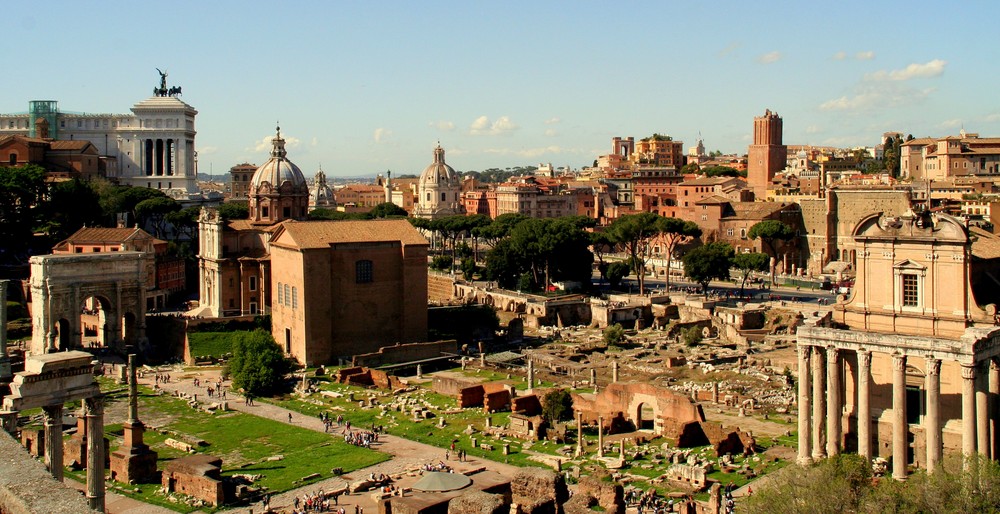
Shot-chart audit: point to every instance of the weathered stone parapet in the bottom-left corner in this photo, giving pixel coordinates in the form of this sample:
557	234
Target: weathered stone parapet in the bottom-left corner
26	487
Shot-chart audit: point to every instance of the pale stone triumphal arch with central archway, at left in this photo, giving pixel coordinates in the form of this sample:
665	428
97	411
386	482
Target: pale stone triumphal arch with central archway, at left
61	285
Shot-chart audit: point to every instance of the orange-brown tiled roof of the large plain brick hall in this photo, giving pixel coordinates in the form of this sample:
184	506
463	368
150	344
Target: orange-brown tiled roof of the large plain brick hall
321	234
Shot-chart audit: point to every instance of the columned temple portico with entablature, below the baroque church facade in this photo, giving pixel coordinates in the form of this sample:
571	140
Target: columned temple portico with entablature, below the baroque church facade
883	395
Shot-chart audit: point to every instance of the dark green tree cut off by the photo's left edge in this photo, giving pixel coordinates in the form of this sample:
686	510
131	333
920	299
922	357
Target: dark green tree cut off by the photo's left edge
22	191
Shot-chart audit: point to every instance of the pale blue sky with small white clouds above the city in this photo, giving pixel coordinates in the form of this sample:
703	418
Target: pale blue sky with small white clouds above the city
363	87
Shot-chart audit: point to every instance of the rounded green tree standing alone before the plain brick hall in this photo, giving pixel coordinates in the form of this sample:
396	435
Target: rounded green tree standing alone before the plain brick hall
258	367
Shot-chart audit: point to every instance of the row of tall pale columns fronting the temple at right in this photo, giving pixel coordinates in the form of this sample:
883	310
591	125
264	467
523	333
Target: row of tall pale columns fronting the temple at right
821	393
